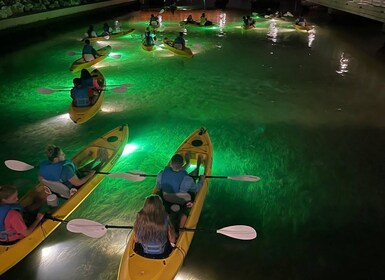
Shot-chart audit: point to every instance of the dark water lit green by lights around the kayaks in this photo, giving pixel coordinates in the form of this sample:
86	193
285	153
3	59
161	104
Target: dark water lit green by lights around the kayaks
305	112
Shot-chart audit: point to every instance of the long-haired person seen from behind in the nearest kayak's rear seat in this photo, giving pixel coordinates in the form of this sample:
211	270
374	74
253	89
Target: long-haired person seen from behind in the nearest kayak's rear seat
154	234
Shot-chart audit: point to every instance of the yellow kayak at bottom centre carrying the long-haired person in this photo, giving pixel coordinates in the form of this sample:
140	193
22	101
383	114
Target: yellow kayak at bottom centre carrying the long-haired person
133	266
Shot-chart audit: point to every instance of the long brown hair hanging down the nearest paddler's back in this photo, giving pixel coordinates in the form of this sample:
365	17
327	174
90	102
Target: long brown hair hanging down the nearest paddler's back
152	221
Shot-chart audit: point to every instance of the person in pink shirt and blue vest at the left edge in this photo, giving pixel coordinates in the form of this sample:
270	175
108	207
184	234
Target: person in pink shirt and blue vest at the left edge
12	225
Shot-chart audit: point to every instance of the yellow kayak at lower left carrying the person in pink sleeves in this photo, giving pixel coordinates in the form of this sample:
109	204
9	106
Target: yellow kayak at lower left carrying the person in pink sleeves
113	143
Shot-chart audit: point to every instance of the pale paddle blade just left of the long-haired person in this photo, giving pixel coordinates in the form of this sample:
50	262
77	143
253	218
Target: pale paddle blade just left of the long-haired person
87	227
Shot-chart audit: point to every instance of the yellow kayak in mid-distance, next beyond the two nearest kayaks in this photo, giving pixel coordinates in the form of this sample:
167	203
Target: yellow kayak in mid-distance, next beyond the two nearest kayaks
80	115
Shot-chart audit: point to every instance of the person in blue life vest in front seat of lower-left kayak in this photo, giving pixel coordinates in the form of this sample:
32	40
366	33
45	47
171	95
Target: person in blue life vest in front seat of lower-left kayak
57	169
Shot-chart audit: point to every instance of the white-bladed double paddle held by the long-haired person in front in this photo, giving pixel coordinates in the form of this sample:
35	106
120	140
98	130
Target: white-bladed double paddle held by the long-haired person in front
96	230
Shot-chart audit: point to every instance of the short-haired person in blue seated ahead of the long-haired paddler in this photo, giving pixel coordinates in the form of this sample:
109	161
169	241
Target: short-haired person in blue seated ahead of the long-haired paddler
175	179
